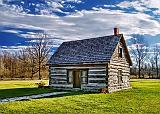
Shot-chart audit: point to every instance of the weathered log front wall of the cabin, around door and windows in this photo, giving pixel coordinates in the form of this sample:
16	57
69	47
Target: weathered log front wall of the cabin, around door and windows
96	76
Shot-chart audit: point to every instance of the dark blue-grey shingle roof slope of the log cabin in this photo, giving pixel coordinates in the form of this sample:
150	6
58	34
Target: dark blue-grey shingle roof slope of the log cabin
92	50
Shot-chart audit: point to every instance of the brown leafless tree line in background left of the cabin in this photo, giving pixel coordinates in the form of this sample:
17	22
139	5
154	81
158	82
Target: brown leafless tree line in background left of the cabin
27	63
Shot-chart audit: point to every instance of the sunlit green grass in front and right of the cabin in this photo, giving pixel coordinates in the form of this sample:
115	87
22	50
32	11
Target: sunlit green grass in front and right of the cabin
144	98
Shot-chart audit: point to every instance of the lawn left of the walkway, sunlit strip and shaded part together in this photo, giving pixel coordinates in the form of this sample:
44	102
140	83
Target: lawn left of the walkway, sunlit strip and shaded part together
20	88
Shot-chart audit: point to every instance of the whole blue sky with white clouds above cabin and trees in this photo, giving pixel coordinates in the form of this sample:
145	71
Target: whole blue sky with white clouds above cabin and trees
65	20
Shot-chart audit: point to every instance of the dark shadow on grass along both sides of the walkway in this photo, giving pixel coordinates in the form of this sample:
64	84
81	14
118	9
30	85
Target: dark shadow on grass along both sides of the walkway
19	92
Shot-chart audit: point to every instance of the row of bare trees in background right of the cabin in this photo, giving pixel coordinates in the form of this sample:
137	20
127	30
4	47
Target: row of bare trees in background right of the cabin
146	60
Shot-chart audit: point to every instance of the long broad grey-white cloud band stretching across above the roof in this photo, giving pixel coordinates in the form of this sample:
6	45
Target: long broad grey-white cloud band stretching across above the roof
83	24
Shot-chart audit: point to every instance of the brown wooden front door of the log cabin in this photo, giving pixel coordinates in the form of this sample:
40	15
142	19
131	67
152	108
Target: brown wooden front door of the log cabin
76	79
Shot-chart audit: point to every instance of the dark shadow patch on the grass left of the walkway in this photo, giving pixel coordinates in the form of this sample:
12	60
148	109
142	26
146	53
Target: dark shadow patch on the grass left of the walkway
18	92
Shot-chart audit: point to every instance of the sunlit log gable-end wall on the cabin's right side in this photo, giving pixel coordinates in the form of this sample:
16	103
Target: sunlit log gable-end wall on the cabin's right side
117	63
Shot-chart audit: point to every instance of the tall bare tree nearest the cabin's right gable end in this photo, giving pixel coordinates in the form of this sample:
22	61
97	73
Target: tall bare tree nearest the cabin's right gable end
139	51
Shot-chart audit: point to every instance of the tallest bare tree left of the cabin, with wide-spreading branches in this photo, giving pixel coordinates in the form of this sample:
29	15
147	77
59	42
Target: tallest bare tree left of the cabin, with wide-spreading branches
38	52
